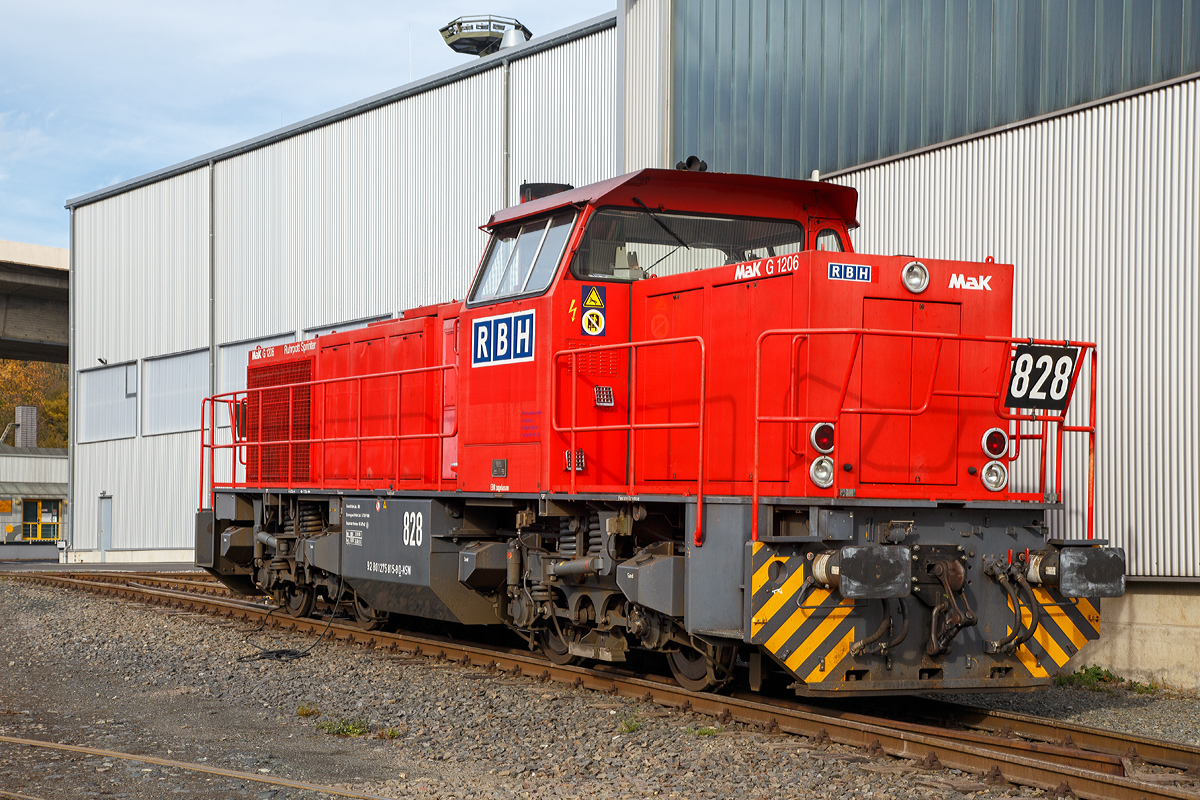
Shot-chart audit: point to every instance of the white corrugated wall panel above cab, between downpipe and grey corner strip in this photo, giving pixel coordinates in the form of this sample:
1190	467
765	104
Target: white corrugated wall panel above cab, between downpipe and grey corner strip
561	116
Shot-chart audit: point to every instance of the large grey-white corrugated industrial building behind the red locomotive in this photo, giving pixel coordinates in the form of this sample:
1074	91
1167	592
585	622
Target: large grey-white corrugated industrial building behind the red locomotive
1059	137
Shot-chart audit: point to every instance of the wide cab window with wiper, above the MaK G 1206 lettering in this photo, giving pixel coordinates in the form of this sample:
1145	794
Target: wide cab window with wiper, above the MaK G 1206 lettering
627	245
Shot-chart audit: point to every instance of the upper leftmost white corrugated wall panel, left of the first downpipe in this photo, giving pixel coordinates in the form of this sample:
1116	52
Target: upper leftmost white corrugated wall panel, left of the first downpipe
142	268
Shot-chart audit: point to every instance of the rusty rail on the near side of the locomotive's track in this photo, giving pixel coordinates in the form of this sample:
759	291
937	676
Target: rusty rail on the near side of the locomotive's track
934	748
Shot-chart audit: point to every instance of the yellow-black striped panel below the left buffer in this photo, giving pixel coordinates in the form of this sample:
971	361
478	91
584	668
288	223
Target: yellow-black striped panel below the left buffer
807	629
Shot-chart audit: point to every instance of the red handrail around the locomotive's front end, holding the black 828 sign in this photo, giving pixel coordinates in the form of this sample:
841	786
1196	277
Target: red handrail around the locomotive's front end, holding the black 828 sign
999	396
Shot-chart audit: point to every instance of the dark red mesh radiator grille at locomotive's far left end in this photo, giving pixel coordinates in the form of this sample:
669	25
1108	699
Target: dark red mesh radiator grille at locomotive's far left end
279	416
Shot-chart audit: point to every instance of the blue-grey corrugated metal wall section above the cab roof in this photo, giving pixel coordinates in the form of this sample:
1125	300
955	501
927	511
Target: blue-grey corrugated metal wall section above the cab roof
778	88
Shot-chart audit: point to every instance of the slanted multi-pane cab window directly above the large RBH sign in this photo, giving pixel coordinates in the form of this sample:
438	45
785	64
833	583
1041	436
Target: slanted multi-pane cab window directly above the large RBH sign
521	258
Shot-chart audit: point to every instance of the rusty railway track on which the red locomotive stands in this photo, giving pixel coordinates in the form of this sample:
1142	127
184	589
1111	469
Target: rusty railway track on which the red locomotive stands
1063	759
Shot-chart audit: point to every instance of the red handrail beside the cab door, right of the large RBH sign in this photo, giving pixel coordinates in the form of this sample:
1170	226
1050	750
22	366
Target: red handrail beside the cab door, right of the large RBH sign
633	425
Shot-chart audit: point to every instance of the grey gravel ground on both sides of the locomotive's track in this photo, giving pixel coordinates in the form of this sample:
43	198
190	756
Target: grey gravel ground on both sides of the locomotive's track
119	676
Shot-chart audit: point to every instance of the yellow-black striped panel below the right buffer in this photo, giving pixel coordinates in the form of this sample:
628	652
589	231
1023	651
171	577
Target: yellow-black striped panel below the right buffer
1065	627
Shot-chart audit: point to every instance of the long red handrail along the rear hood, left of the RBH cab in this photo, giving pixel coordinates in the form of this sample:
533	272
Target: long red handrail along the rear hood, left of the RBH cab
242	443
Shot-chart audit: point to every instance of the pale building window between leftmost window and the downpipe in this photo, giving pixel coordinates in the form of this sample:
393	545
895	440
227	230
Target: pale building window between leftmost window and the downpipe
172	393
